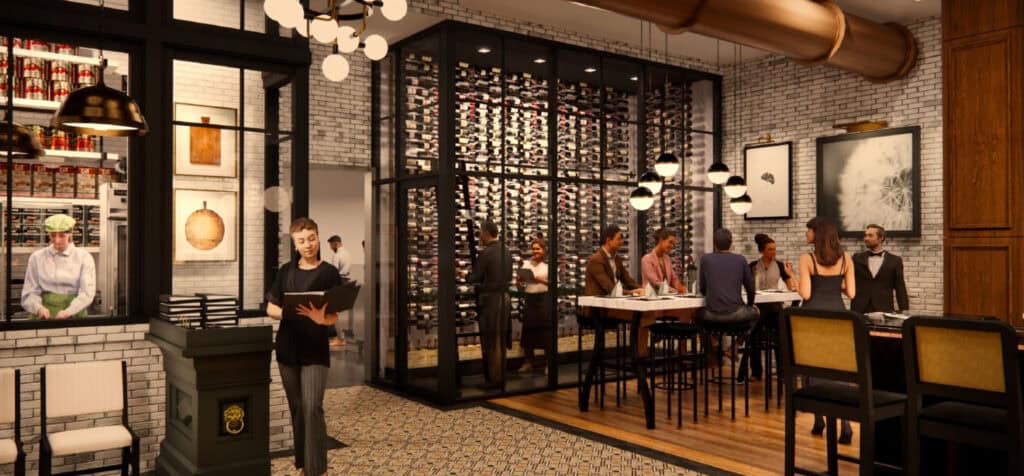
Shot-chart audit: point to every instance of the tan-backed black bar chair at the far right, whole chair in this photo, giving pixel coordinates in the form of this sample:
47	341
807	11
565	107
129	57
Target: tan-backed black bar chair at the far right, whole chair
964	386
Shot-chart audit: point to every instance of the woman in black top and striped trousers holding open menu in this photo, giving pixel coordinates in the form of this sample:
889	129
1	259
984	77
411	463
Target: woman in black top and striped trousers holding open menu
304	357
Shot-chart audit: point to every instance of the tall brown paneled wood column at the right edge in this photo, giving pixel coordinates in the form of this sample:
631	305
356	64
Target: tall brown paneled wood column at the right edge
984	164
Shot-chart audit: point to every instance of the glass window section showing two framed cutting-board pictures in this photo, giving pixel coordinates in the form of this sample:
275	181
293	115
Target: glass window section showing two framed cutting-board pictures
225	199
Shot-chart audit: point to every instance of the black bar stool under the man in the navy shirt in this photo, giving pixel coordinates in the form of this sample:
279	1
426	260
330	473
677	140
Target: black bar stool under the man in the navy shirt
735	332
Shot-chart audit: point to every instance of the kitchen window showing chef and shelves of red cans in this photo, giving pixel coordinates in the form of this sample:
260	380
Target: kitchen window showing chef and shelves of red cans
81	177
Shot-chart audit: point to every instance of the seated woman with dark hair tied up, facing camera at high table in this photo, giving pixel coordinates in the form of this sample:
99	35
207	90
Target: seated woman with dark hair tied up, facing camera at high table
767	274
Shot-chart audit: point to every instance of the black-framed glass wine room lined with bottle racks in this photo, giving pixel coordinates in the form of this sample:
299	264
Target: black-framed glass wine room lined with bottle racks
545	140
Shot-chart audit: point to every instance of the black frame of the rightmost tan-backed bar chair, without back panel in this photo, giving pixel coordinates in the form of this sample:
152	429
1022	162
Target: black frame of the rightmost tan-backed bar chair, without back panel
918	393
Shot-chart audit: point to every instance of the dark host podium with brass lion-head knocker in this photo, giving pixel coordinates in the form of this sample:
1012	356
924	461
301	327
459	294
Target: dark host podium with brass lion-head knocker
218	404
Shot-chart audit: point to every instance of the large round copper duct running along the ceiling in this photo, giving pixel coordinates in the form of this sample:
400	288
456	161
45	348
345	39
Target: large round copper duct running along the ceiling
806	31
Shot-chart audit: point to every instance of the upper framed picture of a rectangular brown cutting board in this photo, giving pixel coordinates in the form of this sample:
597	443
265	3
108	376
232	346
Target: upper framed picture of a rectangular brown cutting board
209	152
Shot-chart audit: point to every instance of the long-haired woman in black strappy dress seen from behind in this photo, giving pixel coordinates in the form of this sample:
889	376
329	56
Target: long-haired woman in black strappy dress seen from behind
826	275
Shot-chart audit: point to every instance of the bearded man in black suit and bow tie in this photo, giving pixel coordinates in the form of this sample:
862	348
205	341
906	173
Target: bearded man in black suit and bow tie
878	274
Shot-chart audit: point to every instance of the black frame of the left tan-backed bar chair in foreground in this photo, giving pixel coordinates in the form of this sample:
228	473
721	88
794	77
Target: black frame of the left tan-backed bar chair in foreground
865	412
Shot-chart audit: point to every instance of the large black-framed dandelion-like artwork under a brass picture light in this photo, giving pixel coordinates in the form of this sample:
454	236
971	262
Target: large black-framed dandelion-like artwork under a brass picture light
872	178
